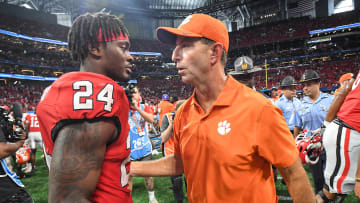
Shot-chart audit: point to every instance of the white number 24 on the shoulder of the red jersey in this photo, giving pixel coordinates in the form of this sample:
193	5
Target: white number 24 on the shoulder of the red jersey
85	90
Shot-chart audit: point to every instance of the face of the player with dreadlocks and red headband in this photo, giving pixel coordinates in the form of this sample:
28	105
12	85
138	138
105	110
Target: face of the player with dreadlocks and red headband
117	60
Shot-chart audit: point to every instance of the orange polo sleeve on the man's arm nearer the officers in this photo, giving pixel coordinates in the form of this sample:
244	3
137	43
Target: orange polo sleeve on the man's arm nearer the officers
273	131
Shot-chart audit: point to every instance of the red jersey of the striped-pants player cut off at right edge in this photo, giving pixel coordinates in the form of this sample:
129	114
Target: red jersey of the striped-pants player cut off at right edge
350	109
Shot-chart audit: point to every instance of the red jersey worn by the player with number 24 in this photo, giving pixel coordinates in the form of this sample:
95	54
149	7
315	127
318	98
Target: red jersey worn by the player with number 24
83	95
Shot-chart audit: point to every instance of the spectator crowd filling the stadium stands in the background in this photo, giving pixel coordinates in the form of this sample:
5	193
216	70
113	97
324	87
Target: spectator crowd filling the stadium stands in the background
155	77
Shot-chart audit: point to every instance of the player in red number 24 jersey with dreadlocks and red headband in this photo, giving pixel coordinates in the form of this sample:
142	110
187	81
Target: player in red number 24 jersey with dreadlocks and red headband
83	115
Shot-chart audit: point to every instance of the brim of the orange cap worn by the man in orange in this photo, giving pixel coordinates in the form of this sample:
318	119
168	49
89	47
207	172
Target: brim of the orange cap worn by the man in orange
168	35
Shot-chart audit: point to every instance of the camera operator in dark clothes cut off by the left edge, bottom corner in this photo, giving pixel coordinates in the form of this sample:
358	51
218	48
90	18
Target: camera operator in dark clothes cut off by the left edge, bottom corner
11	189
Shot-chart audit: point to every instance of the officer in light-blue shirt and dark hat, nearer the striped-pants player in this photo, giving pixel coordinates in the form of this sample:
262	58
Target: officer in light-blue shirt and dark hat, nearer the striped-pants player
311	115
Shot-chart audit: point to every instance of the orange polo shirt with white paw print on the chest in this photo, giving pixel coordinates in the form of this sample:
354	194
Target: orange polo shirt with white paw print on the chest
227	153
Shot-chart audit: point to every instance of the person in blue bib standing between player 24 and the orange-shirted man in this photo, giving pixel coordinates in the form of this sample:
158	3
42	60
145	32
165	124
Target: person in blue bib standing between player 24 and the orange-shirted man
141	146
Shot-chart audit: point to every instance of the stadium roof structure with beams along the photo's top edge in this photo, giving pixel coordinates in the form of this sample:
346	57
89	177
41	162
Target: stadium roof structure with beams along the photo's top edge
247	12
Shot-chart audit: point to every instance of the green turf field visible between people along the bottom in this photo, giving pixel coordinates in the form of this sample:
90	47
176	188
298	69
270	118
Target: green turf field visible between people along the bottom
37	185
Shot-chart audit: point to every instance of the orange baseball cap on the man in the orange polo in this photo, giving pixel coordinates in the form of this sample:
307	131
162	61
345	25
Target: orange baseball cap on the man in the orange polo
196	25
